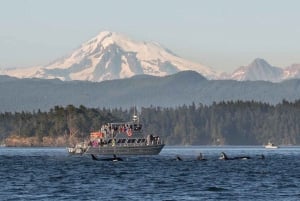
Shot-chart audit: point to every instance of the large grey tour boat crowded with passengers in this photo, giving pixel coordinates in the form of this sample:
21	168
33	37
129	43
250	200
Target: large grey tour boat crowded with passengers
123	138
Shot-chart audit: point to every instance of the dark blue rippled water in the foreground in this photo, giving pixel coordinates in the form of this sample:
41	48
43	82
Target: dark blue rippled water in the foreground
52	174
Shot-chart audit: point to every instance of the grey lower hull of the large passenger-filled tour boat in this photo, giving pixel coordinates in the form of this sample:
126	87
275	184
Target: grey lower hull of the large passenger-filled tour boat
125	150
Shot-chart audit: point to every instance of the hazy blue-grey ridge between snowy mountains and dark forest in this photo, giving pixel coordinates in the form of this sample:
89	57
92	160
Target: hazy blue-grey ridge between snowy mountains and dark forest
181	88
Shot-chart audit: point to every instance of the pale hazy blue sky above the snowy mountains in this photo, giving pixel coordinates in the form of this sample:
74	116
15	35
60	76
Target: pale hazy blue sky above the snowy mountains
222	34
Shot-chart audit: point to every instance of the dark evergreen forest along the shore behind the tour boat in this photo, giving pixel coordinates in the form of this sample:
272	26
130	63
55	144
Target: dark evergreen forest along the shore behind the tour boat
225	123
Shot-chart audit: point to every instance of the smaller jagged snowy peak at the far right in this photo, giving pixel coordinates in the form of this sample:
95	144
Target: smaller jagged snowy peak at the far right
260	69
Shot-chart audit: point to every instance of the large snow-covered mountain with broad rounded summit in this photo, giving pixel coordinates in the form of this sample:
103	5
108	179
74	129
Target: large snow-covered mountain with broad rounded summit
111	55
